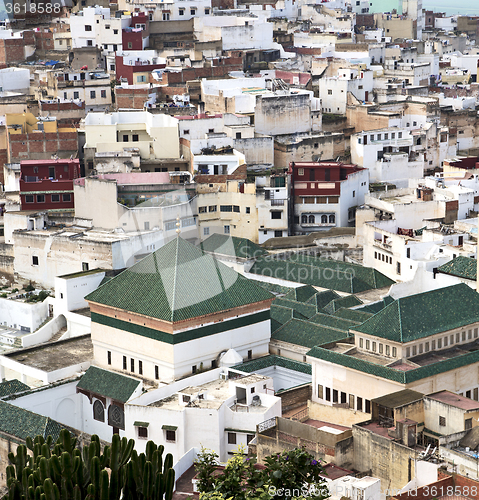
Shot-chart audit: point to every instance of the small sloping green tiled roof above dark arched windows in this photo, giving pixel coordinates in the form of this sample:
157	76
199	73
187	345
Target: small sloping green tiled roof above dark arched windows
108	384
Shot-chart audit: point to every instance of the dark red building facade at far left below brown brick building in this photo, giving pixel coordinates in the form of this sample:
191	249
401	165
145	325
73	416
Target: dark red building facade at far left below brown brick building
48	184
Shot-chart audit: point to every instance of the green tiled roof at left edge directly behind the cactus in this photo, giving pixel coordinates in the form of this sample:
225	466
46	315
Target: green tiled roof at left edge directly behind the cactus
22	423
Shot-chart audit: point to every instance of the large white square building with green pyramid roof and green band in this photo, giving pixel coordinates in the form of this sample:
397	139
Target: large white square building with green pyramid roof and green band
178	333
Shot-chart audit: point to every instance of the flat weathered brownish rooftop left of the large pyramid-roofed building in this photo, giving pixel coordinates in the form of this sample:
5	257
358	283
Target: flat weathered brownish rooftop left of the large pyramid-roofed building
57	355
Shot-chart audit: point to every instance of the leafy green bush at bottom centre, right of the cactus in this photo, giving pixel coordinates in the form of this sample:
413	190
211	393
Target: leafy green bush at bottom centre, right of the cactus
288	475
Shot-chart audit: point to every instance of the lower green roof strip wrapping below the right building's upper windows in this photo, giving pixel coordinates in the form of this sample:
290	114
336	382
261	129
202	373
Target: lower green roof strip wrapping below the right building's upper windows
403	377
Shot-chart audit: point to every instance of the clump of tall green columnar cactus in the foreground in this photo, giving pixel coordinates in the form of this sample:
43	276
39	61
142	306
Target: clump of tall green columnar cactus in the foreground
43	471
